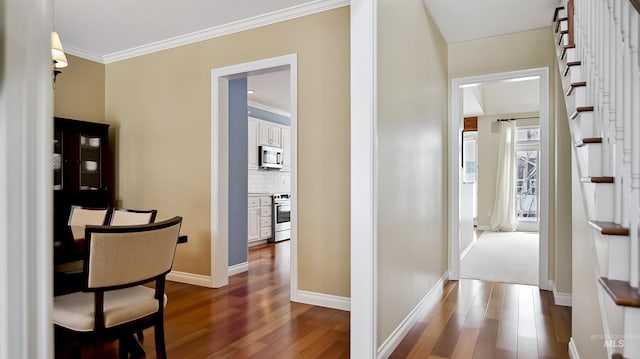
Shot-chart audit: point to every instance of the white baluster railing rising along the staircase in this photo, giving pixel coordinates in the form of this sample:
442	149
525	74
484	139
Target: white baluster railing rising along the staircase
606	38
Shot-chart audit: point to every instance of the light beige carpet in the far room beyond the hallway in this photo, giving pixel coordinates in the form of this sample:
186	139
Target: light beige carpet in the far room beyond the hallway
508	257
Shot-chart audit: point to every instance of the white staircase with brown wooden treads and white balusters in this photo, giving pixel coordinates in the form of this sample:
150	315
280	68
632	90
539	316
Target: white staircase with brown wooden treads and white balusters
597	49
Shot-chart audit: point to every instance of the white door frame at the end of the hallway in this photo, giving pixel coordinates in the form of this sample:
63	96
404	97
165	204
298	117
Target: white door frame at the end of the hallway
454	169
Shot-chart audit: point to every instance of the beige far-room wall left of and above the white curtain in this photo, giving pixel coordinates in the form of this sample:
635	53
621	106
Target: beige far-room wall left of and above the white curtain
488	148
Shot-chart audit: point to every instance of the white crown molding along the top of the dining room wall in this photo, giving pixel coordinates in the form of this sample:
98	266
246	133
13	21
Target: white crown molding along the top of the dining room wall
223	30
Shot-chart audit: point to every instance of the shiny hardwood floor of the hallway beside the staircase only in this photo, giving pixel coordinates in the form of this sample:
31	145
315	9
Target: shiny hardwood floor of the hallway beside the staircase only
477	319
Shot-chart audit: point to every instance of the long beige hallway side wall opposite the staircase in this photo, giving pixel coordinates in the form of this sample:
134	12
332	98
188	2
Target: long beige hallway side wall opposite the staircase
411	164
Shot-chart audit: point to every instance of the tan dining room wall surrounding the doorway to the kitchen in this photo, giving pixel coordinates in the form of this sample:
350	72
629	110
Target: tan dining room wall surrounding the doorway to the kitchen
160	105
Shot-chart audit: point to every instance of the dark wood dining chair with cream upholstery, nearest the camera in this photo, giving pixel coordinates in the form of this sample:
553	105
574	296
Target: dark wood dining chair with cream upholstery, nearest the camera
115	303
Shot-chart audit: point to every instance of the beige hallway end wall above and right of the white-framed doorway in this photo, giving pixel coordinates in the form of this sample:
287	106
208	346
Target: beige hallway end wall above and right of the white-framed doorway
519	51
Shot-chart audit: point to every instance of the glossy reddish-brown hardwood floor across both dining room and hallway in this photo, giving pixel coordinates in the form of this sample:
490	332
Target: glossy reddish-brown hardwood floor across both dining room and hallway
253	318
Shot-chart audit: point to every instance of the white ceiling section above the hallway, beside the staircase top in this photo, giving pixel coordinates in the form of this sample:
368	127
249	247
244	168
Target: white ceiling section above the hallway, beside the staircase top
463	20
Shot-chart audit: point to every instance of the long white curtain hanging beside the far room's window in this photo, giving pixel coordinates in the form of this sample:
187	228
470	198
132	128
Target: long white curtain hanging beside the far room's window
504	208
